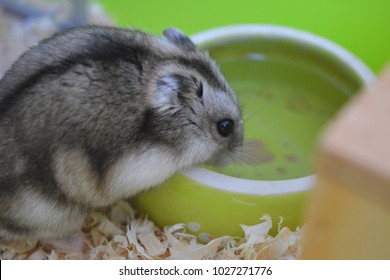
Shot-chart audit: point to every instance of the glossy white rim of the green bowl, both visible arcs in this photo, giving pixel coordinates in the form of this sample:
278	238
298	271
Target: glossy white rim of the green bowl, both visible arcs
225	34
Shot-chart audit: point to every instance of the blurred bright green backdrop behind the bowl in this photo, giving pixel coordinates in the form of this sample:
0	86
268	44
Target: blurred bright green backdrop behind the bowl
361	26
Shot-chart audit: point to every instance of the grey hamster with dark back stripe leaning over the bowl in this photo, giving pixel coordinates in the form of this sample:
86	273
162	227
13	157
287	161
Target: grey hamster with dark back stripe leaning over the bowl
97	114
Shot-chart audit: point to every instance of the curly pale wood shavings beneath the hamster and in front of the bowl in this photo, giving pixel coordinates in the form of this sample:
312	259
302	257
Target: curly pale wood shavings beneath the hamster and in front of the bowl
120	234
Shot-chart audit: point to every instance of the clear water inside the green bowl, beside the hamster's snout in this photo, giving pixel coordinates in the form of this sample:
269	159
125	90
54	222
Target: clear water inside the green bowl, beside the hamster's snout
285	103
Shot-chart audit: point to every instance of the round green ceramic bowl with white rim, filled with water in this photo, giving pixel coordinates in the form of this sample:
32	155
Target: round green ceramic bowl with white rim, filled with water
290	83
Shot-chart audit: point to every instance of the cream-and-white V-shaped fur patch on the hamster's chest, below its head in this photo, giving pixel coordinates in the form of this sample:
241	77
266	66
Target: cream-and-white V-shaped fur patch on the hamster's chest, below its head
131	174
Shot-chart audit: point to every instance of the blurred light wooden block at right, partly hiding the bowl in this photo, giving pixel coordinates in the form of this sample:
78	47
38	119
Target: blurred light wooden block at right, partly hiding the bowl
349	214
